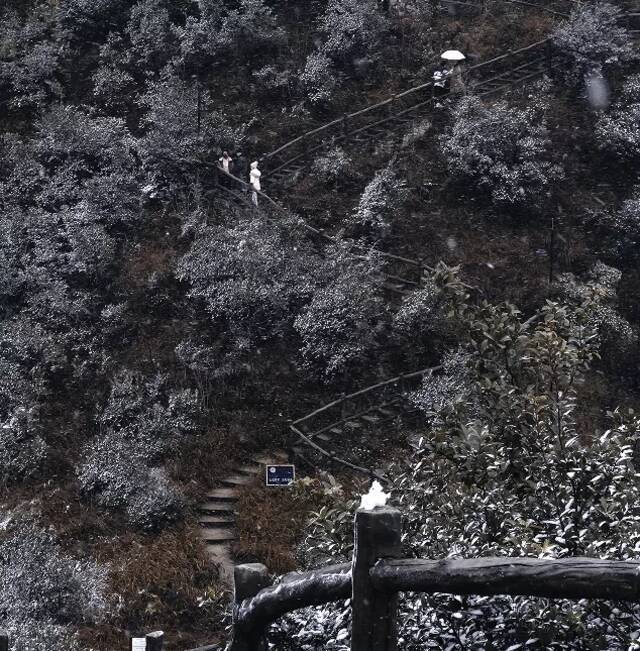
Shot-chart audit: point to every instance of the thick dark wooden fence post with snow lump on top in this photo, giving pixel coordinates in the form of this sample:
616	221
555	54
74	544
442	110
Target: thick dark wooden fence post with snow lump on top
376	536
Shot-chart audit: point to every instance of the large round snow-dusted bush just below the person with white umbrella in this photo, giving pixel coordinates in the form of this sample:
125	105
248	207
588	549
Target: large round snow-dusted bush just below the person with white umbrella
502	151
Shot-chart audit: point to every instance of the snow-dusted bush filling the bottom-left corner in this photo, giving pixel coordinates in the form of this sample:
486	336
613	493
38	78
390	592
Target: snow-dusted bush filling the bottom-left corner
46	594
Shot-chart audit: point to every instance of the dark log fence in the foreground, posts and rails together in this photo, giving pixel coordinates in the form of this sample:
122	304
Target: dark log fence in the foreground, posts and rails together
377	574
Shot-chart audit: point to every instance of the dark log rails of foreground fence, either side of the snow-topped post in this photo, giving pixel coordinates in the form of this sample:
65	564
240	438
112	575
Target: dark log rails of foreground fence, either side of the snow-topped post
554	578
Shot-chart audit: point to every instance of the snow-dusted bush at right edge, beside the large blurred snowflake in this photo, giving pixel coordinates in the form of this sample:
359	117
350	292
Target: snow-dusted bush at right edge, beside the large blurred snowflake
618	131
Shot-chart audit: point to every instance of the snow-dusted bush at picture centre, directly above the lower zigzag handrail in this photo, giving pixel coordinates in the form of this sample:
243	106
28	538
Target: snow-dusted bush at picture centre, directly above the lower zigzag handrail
341	326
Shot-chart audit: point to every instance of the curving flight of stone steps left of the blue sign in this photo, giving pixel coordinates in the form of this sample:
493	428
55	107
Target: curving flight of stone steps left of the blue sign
216	514
